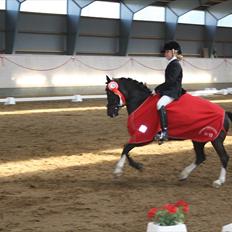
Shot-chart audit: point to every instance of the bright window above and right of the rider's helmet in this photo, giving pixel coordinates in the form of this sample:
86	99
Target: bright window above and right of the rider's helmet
193	17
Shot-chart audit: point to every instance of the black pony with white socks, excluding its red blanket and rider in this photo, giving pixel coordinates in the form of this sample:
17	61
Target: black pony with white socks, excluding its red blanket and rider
131	93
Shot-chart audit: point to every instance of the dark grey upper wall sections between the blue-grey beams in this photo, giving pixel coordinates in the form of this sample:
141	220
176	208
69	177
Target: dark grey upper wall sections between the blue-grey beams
45	33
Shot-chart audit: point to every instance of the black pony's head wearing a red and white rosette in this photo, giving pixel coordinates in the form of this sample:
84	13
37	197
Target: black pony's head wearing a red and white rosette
115	97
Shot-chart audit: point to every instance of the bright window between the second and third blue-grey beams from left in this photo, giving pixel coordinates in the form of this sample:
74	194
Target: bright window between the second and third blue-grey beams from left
101	9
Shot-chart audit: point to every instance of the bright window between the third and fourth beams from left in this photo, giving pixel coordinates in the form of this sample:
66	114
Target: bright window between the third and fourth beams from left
151	13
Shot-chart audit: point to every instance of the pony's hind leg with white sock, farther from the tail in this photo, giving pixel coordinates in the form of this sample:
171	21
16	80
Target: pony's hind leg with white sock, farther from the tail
200	157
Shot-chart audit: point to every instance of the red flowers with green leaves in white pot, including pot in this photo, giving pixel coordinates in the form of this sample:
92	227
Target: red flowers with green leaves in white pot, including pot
168	218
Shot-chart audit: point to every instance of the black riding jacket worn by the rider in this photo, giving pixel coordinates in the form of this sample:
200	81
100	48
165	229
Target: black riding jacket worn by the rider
172	86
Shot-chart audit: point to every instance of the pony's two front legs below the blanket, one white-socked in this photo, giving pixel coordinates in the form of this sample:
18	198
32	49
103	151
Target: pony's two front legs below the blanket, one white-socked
125	155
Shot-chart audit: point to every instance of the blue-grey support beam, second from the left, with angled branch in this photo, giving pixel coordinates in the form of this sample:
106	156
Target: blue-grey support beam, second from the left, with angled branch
74	8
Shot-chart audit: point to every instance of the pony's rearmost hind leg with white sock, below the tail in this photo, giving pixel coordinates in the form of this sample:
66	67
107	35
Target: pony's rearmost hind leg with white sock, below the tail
220	149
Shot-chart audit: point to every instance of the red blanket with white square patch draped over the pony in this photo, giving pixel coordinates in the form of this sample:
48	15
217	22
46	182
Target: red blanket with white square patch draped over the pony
188	118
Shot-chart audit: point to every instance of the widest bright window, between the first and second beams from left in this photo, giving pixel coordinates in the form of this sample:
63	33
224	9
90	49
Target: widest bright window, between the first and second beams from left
45	6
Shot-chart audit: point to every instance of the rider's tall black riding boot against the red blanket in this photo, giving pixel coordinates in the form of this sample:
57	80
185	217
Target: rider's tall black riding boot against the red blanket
163	135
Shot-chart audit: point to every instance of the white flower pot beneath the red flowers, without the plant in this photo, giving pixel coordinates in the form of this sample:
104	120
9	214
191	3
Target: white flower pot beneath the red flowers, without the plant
151	227
